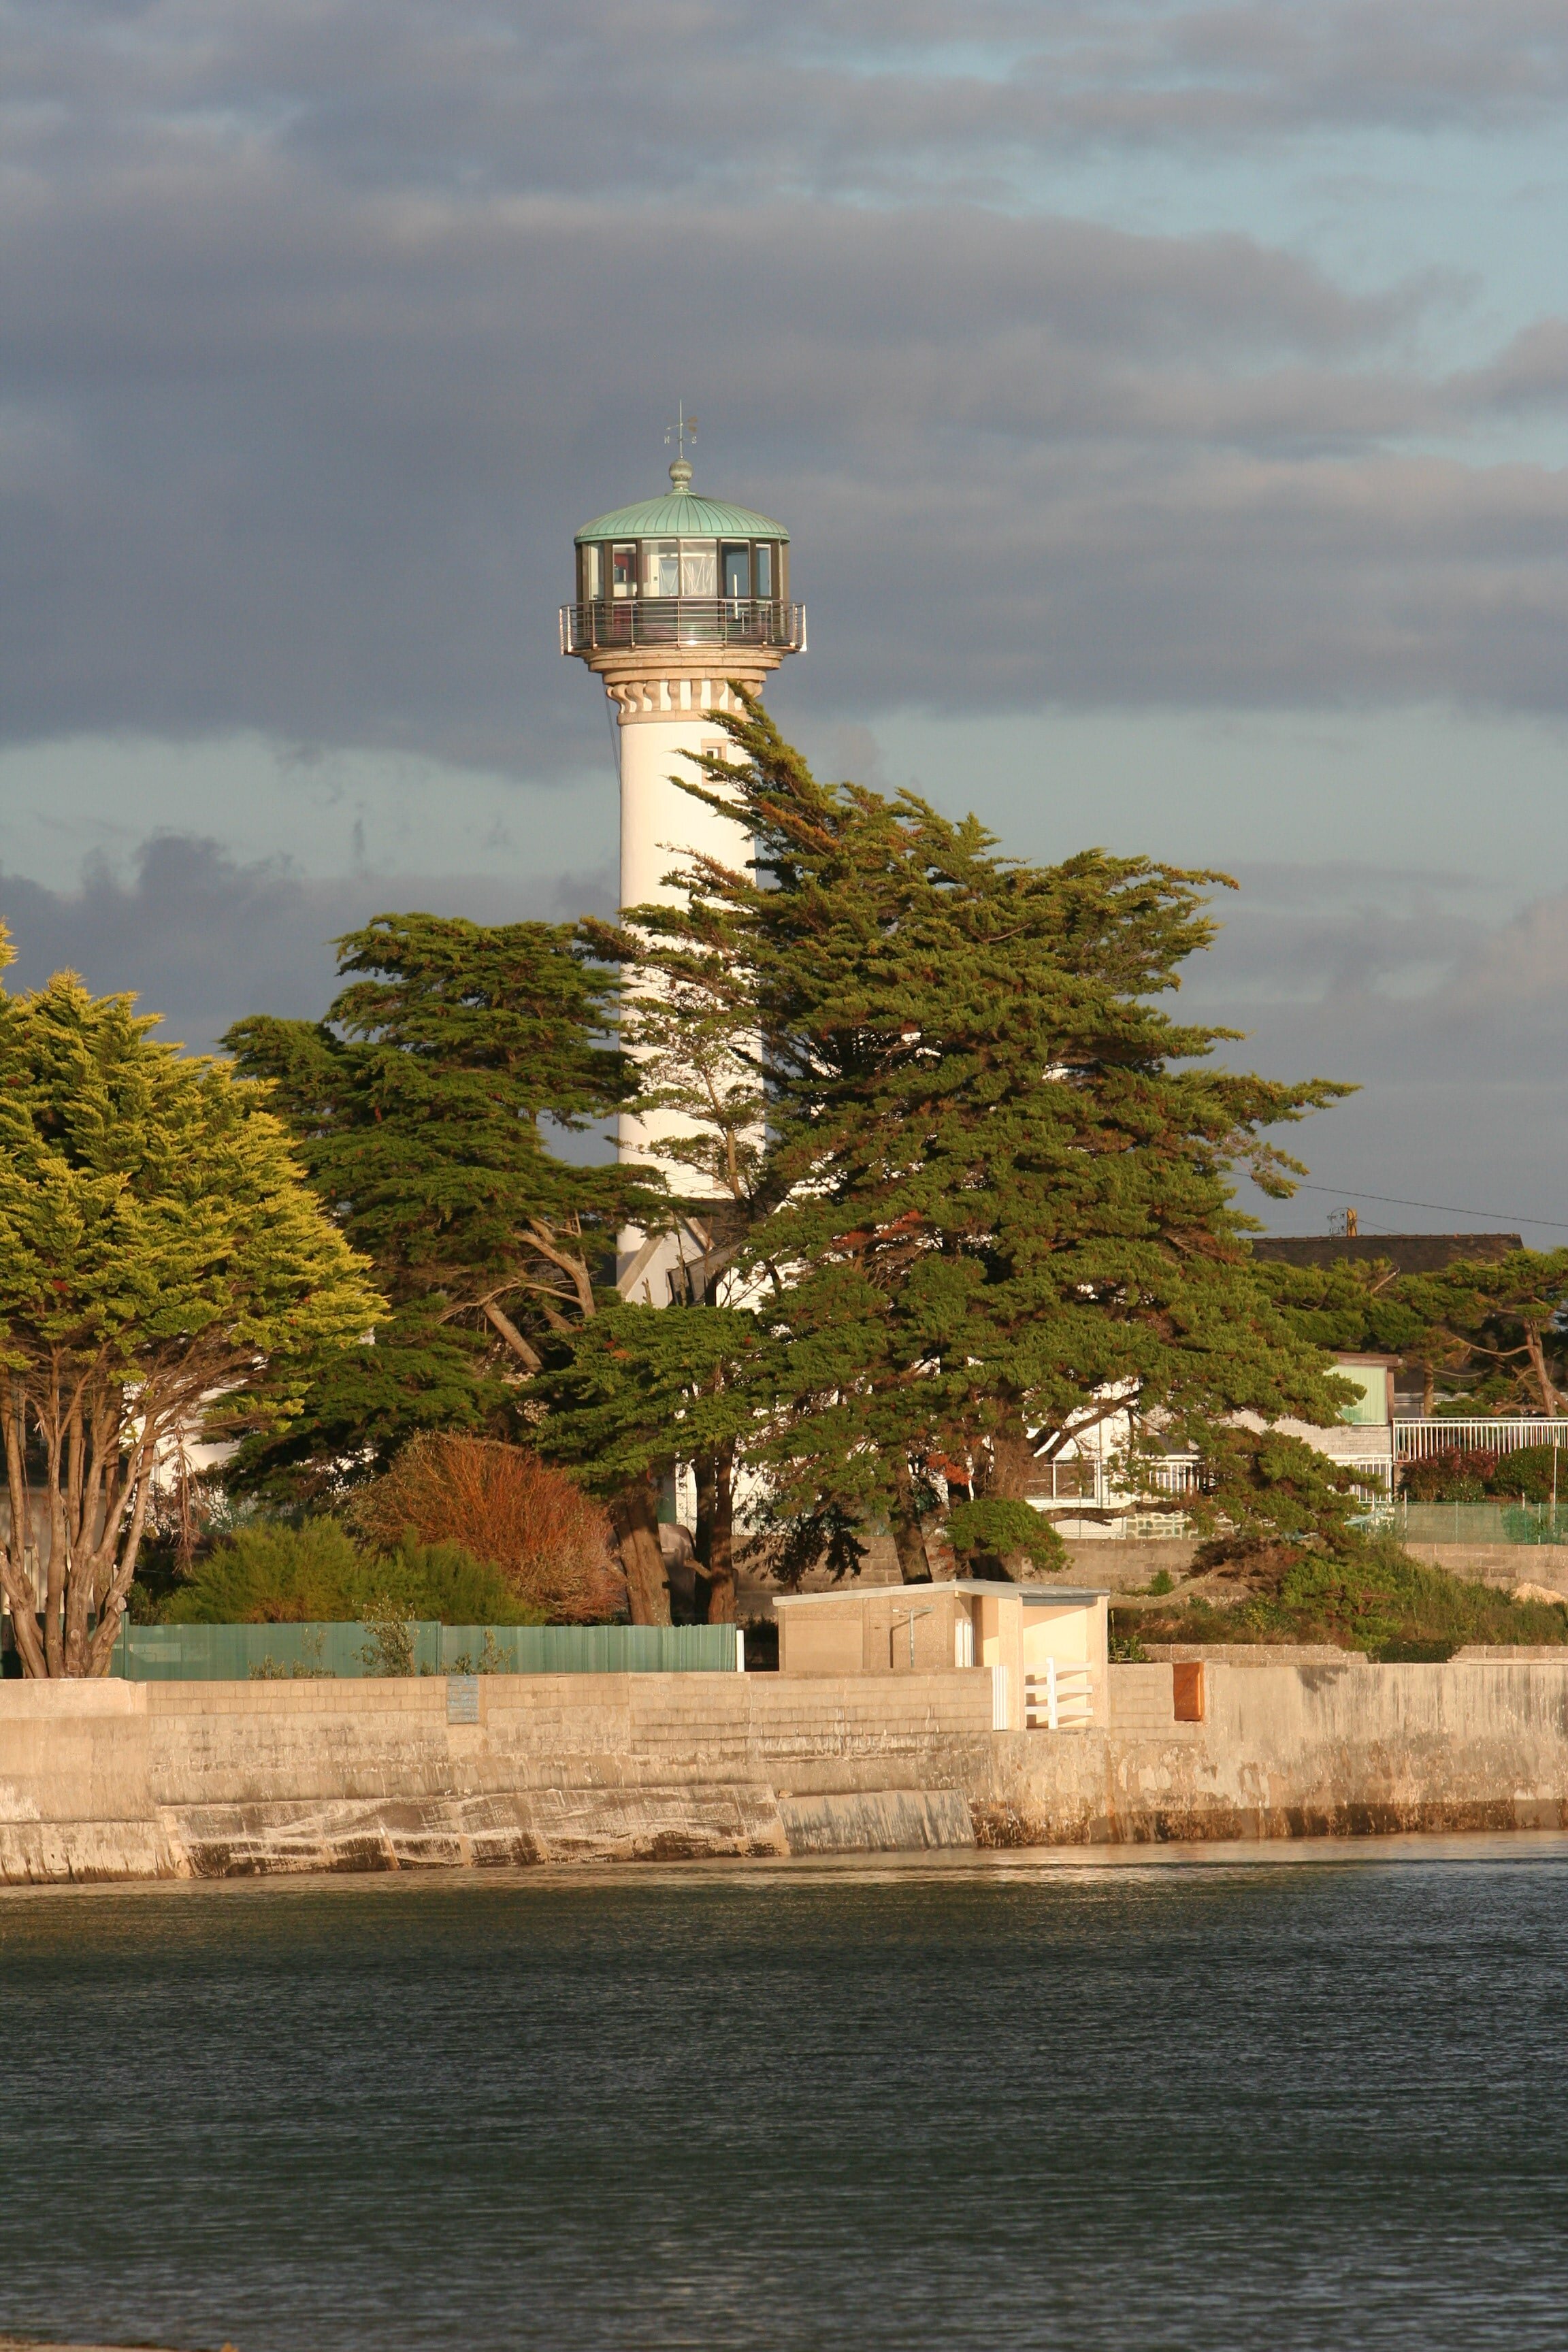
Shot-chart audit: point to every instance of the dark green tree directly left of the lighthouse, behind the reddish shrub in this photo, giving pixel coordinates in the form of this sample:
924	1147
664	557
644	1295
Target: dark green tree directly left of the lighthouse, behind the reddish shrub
422	1109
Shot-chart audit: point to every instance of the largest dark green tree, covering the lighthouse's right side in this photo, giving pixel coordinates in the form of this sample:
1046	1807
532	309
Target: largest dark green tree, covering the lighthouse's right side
993	1205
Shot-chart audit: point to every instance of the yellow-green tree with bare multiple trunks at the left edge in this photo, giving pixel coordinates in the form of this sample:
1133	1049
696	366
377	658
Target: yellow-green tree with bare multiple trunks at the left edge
163	1274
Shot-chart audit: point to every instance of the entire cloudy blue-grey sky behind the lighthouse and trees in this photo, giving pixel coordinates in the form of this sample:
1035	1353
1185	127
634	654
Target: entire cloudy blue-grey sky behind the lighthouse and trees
1167	406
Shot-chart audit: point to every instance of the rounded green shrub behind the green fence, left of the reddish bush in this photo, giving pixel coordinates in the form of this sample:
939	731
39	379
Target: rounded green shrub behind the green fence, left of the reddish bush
272	1575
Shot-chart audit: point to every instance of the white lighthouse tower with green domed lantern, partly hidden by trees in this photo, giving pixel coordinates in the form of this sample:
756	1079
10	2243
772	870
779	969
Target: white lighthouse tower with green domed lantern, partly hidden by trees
676	599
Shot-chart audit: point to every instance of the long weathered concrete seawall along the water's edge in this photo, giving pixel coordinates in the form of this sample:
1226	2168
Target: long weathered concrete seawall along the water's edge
107	1782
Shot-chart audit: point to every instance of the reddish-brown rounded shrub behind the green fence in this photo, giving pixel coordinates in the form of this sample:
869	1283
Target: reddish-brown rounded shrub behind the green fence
547	1537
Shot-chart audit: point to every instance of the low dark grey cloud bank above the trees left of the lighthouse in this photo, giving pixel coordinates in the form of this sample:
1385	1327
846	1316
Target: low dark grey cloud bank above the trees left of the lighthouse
203	940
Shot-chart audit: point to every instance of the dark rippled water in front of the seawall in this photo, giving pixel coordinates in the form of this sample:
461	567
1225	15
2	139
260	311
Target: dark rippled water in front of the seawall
1219	2099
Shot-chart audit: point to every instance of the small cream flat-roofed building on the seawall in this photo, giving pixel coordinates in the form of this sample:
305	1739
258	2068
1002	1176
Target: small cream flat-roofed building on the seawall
1045	1645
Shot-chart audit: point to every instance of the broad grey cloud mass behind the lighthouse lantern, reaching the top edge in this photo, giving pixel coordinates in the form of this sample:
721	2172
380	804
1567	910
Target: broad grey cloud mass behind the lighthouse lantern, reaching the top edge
328	326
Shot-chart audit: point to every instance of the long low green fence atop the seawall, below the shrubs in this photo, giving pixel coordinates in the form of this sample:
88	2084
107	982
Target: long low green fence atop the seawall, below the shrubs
300	1652
